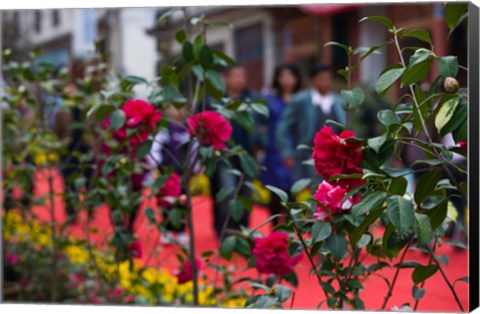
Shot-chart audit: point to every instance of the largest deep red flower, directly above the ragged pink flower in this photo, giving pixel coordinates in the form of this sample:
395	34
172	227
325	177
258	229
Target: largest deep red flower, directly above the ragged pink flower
332	155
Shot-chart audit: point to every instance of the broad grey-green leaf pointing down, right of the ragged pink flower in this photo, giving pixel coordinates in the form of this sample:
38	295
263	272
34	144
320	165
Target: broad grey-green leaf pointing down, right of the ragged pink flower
401	213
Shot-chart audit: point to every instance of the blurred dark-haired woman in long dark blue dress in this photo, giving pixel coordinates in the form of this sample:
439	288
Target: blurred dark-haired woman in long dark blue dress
286	82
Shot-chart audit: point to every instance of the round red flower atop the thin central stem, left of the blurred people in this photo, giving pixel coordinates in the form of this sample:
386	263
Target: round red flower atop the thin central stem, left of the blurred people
210	128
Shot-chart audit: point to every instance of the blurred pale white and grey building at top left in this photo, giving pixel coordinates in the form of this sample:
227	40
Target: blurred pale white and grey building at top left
65	36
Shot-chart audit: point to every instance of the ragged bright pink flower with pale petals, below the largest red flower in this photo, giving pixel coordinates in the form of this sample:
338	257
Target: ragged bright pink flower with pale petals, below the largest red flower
331	196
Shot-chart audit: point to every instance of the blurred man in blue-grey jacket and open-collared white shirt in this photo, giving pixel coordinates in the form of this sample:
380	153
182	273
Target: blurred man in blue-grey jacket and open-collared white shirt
304	117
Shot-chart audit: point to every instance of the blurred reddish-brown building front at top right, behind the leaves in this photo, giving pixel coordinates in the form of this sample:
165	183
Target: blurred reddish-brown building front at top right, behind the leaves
264	36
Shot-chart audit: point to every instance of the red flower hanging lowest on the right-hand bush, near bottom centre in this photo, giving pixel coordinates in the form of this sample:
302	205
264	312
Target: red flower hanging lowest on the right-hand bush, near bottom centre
272	254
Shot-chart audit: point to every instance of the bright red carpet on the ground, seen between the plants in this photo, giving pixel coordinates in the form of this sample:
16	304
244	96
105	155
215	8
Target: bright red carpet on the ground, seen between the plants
437	298
